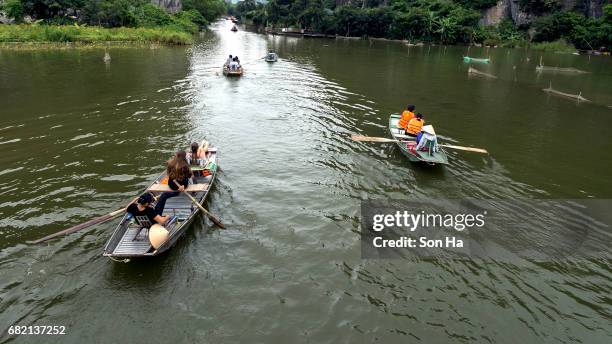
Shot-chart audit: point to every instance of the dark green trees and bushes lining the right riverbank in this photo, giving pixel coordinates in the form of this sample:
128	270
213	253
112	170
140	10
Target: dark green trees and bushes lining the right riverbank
439	21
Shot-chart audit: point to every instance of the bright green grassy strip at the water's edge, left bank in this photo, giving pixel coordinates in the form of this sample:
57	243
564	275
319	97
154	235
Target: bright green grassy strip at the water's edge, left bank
89	34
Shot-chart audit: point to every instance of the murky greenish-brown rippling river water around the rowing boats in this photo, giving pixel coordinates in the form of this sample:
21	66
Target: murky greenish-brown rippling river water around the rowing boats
80	137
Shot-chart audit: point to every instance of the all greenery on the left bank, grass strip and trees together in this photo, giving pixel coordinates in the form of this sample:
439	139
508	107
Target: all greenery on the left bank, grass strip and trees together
105	20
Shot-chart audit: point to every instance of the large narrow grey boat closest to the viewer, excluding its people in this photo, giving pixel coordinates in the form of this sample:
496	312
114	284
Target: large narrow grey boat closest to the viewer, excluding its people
130	240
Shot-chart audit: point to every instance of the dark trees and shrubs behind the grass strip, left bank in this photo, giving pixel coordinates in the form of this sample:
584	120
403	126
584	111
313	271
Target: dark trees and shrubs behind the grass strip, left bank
115	13
